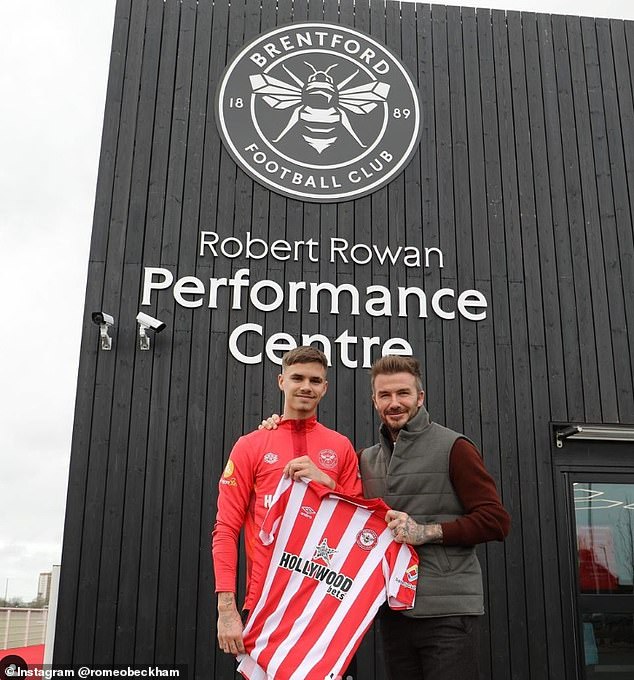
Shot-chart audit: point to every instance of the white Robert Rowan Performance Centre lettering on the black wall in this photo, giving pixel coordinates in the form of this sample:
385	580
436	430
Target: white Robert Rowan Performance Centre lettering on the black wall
249	343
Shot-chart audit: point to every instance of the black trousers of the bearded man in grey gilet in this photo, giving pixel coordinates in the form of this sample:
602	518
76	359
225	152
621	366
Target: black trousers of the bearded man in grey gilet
443	648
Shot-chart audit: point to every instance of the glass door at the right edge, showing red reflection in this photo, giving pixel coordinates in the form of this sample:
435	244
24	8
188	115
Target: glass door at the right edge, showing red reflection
603	512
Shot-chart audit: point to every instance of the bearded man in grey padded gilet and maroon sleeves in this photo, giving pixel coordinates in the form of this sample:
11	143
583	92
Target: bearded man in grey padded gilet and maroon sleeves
445	500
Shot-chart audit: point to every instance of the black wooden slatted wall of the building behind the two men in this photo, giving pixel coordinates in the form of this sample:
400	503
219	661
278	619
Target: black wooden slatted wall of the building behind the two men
523	178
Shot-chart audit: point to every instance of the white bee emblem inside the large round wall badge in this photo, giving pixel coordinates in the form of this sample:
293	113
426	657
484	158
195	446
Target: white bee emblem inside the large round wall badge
319	104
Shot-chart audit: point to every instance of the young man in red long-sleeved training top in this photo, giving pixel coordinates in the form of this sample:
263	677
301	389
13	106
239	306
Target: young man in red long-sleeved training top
299	447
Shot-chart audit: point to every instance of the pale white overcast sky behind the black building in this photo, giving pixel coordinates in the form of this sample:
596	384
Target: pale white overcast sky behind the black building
53	71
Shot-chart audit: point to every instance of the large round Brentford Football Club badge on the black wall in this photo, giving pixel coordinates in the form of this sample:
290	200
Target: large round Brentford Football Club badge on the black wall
318	112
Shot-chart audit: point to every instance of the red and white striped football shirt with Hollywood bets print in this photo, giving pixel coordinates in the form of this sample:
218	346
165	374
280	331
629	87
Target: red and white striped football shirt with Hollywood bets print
333	562
